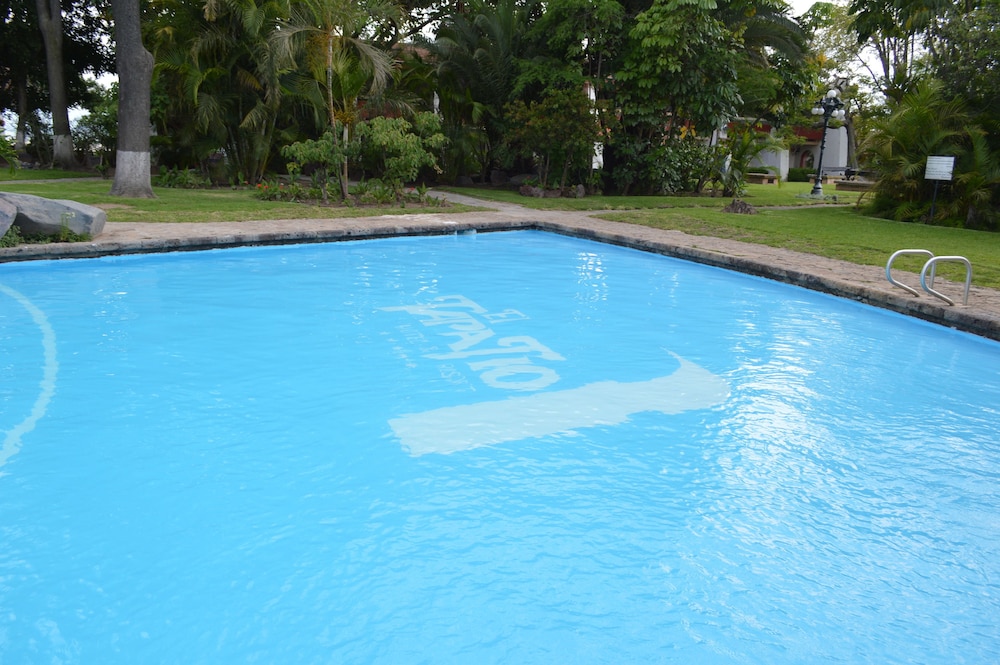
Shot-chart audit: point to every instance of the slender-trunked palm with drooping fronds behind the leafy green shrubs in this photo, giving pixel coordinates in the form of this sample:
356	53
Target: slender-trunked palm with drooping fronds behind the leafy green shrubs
329	38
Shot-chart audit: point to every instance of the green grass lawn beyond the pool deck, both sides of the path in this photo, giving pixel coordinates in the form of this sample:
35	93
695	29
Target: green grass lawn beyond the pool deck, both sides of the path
786	218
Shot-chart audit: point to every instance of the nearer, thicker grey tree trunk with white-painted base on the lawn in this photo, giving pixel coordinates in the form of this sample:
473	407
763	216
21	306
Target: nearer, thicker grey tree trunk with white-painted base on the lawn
135	75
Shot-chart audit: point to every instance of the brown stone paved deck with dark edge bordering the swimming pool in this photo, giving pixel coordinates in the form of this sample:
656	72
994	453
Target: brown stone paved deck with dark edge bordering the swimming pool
866	284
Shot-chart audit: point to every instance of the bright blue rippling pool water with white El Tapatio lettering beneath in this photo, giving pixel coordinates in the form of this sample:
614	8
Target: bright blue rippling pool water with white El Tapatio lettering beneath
498	448
